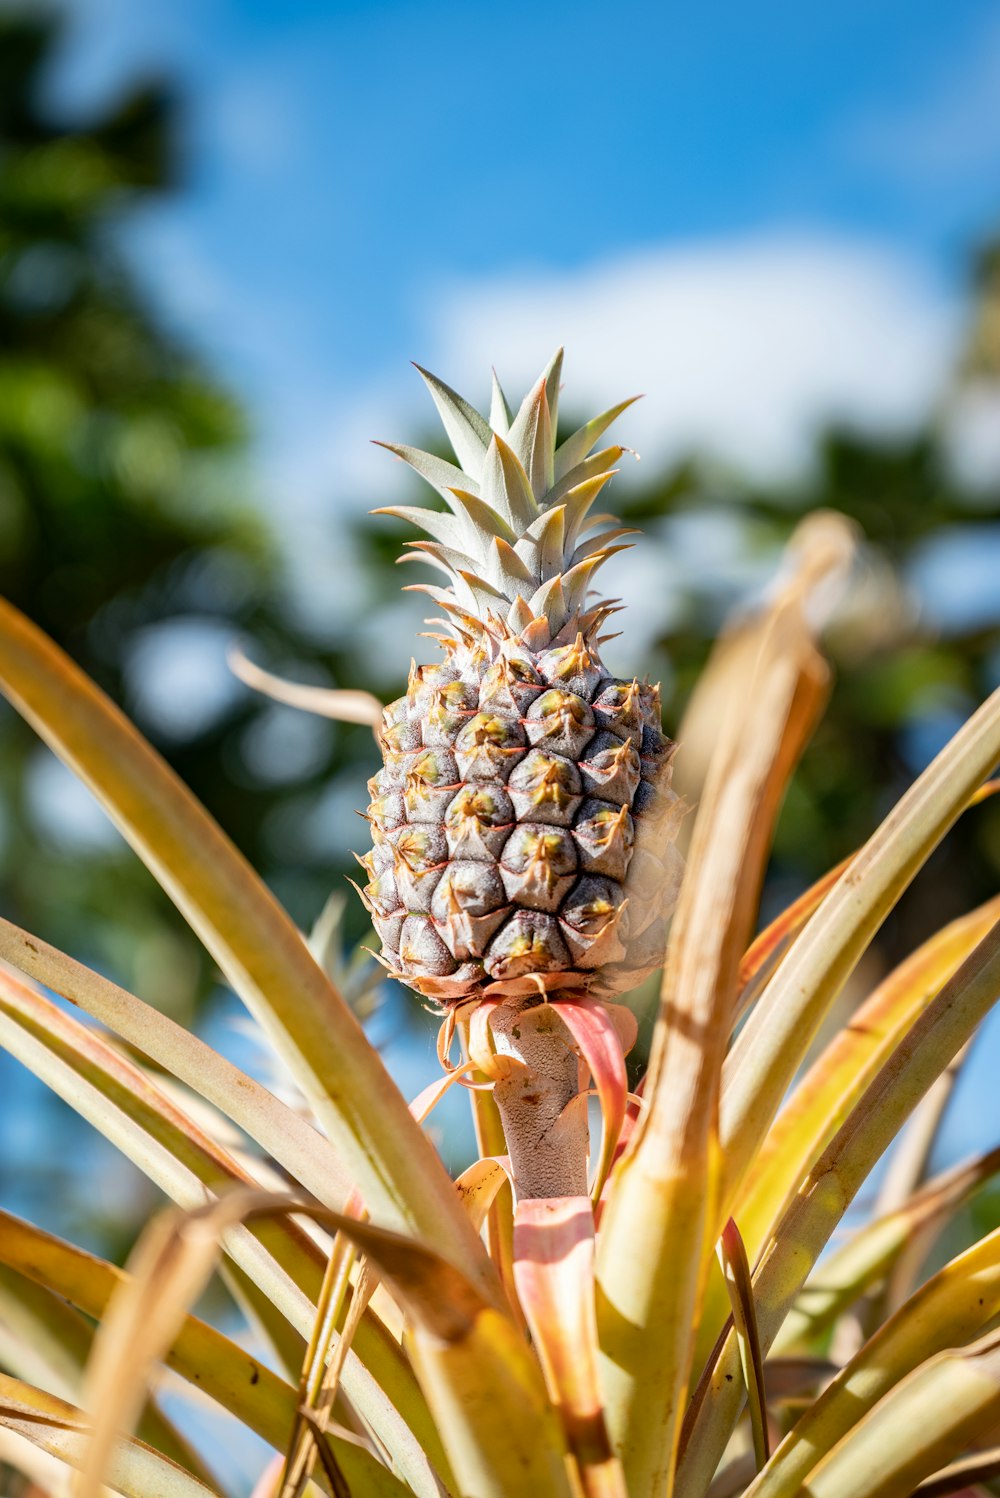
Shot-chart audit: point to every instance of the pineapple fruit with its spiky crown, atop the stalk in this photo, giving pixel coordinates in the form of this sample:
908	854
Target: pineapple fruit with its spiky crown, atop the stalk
522	817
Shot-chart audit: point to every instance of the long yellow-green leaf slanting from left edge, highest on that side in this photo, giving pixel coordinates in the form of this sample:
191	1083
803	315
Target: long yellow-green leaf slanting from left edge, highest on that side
252	938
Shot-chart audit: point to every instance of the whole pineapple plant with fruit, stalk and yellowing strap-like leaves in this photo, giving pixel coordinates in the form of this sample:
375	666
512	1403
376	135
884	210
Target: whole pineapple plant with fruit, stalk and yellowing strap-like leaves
665	1325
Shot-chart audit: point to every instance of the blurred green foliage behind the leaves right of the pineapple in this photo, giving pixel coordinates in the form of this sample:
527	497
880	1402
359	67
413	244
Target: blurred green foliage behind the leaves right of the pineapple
908	669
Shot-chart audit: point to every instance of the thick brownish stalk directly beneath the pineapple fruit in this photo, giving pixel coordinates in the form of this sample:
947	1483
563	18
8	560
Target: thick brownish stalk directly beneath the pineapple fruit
547	1142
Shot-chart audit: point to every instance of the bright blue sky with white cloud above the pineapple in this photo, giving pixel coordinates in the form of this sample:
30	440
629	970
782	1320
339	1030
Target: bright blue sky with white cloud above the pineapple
794	188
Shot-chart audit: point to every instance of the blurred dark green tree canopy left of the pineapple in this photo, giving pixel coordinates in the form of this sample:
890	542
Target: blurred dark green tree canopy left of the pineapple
126	530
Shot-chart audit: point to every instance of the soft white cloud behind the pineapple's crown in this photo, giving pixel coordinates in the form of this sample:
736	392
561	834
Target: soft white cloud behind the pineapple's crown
743	348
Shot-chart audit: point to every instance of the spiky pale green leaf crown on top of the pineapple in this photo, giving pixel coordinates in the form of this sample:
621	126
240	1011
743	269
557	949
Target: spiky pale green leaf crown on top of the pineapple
519	542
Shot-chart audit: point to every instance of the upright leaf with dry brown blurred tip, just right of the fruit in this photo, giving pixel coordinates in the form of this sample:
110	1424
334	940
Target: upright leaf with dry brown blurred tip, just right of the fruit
662	1219
